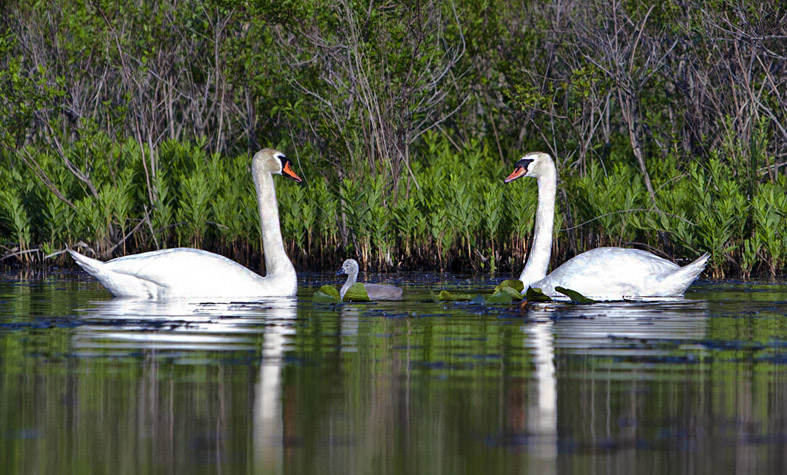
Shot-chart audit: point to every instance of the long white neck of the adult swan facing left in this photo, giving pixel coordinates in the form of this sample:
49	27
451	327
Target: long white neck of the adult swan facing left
541	250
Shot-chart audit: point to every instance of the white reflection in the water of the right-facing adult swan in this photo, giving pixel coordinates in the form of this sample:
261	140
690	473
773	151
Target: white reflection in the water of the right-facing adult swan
122	325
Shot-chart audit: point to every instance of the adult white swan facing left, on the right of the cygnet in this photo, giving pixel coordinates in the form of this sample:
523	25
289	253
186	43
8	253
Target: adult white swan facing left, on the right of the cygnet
605	273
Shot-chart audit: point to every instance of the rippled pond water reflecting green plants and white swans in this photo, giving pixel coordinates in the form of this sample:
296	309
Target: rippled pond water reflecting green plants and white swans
94	385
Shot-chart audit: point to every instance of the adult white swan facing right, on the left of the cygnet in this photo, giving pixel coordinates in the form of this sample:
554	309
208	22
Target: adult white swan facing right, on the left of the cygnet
193	273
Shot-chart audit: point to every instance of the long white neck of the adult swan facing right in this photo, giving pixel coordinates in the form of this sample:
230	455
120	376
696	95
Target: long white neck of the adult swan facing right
276	260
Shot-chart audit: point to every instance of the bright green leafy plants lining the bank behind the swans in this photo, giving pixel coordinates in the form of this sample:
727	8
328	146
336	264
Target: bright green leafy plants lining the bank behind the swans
455	213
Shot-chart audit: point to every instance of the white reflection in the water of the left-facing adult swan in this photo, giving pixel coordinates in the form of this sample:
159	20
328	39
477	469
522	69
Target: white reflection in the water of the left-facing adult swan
603	328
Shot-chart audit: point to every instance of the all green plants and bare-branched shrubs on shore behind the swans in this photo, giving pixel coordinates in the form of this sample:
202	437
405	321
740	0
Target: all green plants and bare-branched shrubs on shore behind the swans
127	126
